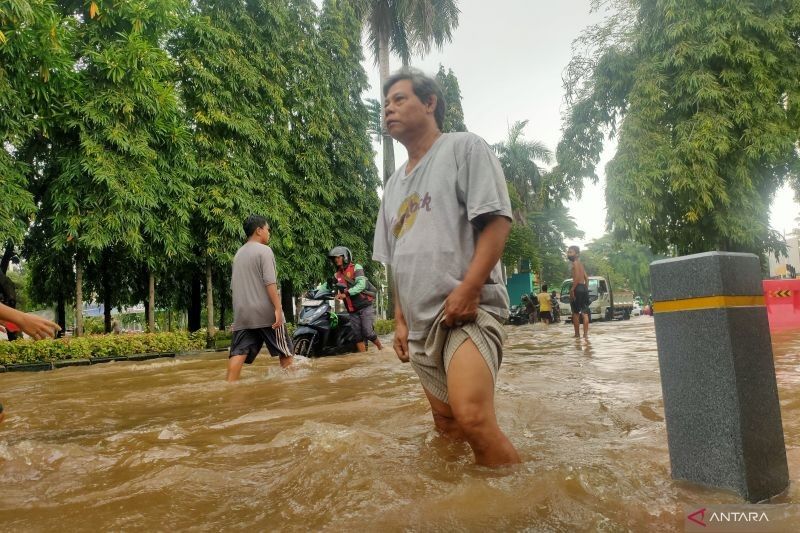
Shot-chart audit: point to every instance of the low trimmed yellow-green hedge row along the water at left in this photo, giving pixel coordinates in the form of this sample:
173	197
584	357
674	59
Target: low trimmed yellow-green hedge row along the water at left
93	346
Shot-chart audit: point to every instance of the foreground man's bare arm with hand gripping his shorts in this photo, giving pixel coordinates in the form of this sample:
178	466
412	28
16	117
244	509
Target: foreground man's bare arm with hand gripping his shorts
462	304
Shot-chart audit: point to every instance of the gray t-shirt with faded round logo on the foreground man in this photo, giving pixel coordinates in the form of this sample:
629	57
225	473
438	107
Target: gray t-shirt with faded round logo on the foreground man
424	228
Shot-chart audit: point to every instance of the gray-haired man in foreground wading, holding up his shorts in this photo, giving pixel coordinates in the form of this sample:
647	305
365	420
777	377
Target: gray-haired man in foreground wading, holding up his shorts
443	223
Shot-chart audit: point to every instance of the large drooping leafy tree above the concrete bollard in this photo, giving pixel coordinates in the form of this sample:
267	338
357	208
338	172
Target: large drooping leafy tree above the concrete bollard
705	100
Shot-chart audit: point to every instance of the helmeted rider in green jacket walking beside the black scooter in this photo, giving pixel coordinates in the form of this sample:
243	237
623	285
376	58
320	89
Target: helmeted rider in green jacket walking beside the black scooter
358	296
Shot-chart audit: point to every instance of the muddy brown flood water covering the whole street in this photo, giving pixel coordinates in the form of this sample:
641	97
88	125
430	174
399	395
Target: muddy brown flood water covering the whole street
347	443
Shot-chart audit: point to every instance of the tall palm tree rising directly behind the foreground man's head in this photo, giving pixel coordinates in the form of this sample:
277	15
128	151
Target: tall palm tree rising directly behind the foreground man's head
405	27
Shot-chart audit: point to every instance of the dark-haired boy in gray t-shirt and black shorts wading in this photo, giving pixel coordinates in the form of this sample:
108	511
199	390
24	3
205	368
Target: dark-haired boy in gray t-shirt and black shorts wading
257	313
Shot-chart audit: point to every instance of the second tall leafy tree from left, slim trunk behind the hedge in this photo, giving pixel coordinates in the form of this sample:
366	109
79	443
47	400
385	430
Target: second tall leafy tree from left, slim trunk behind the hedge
115	170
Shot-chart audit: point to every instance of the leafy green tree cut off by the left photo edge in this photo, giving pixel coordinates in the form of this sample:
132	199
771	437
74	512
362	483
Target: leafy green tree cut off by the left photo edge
35	42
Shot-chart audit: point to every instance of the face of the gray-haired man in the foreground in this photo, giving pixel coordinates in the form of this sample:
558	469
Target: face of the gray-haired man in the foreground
404	114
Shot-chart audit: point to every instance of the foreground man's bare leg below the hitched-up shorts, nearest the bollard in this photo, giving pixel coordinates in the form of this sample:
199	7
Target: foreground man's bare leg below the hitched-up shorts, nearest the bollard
470	390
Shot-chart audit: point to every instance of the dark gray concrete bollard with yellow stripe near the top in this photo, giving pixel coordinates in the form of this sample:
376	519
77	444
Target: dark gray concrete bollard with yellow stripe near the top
717	374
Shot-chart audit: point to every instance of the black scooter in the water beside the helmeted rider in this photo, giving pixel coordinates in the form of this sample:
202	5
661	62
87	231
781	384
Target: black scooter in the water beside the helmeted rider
321	331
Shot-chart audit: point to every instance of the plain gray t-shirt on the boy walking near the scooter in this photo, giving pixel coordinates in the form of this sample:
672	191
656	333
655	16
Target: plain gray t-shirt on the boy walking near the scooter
253	270
